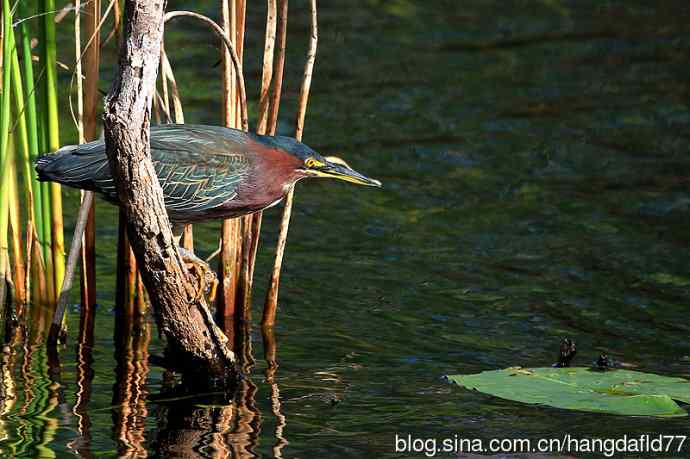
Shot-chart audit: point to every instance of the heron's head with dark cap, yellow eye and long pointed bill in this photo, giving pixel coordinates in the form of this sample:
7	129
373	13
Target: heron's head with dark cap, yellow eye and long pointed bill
312	164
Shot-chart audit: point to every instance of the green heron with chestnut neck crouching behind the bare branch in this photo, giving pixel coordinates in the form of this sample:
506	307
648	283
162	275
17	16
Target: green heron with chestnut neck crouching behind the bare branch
206	172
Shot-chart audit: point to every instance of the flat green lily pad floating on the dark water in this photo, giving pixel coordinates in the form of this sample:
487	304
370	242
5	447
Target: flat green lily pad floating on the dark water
624	392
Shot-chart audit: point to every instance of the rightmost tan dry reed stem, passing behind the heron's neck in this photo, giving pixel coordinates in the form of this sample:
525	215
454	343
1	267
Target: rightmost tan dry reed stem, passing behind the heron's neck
272	294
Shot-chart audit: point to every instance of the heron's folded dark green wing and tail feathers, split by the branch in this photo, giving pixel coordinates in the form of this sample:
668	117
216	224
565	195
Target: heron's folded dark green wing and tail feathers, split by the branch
199	167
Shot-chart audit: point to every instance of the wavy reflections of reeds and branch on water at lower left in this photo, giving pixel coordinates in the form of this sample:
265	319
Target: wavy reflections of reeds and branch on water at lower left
41	394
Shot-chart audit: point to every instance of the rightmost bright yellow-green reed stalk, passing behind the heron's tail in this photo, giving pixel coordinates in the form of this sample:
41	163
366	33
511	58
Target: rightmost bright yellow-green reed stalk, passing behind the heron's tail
53	138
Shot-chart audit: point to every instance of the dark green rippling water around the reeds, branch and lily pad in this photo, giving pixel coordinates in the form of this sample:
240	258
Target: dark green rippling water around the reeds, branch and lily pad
536	166
